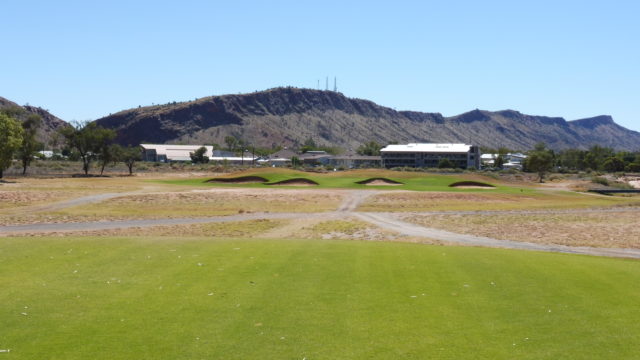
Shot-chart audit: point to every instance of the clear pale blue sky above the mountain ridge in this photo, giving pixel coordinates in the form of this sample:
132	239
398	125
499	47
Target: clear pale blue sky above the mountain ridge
83	60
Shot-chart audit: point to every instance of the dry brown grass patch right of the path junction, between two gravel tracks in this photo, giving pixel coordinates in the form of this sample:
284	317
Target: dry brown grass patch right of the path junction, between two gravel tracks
596	229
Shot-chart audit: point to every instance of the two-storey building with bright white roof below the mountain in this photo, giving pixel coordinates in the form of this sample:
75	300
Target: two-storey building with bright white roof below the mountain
429	155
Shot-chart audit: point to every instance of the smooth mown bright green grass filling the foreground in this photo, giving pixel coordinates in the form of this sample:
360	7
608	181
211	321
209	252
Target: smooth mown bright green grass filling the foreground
198	298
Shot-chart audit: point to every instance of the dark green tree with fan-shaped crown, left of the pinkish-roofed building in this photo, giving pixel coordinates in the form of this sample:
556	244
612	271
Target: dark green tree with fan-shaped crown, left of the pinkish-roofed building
88	140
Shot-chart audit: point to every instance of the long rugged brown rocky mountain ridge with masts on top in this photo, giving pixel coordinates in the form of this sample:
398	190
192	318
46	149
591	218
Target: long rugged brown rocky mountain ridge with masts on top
288	116
